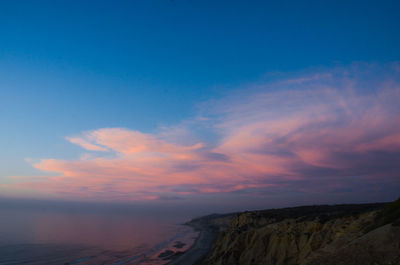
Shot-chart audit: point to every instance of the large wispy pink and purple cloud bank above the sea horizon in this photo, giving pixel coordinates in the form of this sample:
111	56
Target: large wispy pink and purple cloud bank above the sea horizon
325	132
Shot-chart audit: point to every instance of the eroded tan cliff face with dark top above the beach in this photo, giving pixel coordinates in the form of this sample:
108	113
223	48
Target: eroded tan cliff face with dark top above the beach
307	236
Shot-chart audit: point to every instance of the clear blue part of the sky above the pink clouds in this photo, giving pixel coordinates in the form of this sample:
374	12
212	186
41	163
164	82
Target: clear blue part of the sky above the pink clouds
69	67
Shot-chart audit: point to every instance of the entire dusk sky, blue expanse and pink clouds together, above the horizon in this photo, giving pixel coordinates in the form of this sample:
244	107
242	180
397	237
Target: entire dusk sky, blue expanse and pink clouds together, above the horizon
228	103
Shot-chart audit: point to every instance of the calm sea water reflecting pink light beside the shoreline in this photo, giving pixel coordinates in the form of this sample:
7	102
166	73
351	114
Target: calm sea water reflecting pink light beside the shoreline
40	234
